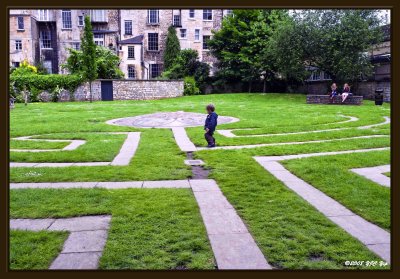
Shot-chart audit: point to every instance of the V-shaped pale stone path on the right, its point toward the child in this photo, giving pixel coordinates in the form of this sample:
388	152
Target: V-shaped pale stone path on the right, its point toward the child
373	237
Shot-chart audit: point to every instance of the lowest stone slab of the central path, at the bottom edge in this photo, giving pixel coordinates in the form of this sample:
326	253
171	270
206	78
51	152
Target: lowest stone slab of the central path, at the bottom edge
237	251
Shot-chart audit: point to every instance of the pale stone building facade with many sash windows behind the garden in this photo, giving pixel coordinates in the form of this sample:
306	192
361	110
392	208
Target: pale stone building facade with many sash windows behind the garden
136	36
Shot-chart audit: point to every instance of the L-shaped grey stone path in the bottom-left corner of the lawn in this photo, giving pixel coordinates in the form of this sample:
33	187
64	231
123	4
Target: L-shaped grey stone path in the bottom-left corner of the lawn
84	245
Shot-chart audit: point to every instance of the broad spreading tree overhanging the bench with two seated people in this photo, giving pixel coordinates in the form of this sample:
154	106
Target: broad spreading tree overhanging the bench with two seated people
334	41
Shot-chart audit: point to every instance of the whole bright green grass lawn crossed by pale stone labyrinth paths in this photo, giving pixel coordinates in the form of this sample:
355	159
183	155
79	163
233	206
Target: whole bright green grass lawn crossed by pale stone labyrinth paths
162	229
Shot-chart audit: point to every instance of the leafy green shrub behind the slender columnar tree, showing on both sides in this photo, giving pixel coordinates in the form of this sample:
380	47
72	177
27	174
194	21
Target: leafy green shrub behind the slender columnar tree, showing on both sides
107	63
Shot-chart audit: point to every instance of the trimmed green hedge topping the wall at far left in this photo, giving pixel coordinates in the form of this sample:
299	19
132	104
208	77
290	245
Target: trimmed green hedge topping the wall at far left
46	82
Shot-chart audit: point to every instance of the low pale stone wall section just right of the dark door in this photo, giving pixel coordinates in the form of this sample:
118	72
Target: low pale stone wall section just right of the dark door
146	89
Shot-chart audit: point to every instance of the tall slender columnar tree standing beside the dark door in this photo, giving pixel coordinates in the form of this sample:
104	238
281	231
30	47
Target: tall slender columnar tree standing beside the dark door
89	55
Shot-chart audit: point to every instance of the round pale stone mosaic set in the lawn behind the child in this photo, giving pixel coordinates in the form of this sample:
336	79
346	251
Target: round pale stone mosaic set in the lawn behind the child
168	120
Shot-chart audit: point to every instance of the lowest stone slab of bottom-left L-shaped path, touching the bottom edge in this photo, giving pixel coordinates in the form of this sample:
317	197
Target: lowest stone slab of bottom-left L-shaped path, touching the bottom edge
77	261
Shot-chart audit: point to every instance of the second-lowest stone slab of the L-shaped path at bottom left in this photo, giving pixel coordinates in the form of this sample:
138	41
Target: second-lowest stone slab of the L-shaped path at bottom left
85	241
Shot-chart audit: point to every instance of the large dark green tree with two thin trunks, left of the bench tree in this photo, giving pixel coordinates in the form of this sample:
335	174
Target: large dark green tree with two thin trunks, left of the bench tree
242	45
